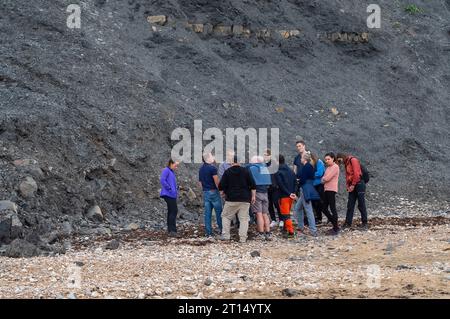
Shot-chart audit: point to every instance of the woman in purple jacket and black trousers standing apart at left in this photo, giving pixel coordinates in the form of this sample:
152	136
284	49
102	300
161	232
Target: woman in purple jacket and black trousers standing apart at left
169	192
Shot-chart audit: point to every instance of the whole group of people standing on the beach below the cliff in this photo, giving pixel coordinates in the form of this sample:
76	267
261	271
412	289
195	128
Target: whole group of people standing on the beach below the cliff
237	193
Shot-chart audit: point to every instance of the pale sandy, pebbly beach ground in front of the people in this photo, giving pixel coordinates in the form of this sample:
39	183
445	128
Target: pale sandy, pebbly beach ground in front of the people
396	258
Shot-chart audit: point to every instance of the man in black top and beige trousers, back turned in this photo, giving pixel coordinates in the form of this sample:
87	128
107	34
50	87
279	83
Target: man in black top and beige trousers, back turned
240	190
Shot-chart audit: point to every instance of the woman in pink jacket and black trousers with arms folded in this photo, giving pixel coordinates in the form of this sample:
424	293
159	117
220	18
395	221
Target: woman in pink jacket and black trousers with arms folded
330	181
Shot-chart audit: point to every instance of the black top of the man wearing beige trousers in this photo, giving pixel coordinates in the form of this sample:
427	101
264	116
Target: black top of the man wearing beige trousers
237	184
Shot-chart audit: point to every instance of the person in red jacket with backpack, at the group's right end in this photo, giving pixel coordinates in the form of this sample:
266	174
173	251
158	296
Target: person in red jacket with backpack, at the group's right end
356	178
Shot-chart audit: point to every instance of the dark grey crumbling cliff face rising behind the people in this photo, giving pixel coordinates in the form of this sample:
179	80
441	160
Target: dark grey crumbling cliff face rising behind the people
88	112
